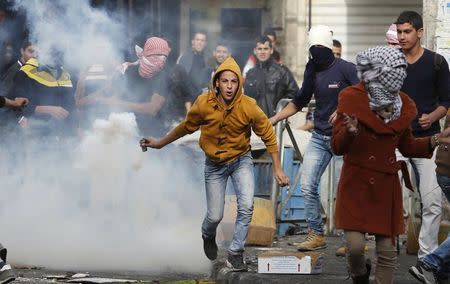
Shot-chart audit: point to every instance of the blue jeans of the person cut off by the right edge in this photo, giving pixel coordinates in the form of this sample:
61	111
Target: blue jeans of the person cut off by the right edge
439	259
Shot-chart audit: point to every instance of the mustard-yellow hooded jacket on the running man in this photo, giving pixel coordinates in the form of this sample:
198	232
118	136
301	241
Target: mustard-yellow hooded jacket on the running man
225	130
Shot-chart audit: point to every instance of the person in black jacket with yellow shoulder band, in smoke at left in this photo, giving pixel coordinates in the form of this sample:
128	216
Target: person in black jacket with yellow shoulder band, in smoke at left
51	111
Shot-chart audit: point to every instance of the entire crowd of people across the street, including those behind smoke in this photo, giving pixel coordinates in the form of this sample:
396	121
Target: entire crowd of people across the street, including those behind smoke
371	117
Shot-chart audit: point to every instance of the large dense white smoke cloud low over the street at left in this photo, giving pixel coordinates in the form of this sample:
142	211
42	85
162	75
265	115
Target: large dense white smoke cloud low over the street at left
102	205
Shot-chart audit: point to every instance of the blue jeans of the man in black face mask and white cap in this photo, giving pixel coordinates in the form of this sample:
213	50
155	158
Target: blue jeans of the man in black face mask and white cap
317	157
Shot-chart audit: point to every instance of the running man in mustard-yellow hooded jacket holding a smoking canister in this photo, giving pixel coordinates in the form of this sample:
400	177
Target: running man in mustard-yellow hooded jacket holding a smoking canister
226	117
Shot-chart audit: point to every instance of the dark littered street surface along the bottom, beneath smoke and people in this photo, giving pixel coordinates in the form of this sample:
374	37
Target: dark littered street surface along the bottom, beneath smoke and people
334	270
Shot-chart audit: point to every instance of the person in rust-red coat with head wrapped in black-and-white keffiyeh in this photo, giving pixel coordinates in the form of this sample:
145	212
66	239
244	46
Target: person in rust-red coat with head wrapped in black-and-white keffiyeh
374	119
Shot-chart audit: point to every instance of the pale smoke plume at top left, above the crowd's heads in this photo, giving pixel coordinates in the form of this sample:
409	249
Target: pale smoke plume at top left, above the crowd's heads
85	34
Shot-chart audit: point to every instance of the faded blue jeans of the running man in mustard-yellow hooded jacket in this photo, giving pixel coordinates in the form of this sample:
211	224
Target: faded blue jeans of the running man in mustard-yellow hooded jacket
216	177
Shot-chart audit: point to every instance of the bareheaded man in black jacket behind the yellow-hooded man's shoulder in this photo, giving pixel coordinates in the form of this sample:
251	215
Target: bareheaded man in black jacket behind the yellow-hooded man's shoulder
268	82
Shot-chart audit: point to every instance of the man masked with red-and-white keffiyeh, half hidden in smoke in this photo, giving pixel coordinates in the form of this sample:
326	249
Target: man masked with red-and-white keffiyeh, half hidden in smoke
150	89
